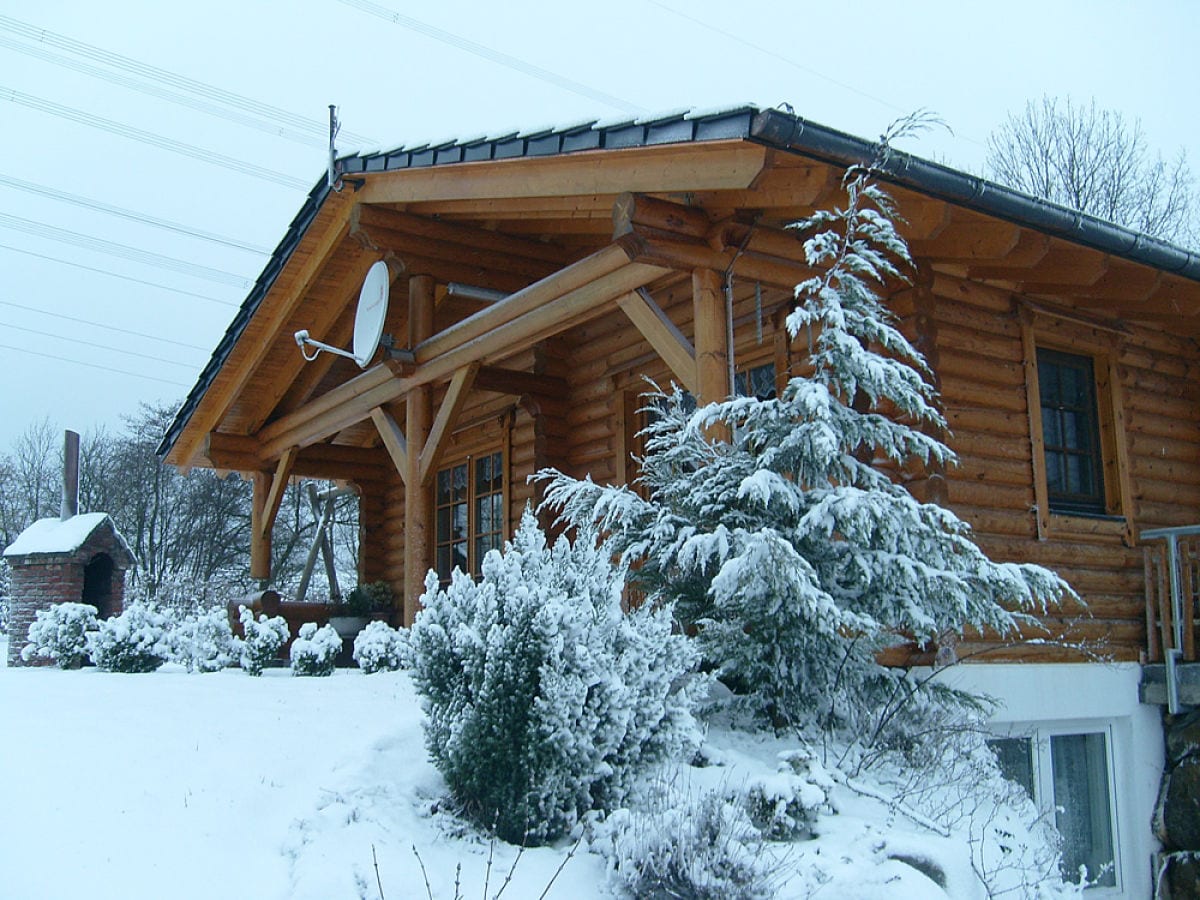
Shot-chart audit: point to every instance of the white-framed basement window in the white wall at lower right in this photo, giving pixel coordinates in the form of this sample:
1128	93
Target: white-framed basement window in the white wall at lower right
1070	775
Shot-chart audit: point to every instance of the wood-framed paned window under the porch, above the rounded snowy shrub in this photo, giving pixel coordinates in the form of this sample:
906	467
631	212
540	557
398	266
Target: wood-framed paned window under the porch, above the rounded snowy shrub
470	514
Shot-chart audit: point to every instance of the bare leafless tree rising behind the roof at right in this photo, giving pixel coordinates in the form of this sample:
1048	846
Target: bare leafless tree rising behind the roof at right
1096	161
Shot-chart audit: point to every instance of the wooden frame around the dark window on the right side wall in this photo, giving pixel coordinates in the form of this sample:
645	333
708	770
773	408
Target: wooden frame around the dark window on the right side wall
1048	331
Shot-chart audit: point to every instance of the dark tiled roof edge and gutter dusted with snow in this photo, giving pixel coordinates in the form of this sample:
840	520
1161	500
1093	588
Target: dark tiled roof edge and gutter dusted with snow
772	128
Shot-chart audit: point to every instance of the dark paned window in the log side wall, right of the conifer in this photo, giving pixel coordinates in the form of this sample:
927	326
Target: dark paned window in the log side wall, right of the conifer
1071	434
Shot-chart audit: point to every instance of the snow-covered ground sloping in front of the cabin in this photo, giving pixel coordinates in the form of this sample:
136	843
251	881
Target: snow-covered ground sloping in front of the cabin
227	787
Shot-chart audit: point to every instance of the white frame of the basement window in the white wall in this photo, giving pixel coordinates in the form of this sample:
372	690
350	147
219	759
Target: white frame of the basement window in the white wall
1046	801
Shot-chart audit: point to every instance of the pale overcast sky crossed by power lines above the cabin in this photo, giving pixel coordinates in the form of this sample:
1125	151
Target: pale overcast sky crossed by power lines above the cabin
128	106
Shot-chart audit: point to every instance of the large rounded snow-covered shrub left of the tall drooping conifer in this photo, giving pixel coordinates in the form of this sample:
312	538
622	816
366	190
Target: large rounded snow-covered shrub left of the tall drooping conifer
544	700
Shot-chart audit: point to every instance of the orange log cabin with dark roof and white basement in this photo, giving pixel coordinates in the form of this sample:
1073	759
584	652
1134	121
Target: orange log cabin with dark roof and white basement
538	279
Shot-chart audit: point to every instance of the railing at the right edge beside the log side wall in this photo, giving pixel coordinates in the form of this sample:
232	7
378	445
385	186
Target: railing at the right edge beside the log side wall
1173	591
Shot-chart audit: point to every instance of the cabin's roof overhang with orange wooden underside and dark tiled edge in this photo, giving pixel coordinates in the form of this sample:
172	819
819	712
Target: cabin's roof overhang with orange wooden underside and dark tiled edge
523	214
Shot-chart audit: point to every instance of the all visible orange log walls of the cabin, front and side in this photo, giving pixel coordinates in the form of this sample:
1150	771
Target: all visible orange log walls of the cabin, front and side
974	334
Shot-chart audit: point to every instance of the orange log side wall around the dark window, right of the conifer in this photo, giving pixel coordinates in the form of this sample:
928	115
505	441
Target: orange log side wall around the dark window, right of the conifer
985	399
